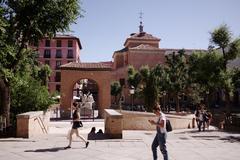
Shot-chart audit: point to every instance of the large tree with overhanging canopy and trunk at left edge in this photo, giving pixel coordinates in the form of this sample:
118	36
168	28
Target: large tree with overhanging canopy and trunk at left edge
26	22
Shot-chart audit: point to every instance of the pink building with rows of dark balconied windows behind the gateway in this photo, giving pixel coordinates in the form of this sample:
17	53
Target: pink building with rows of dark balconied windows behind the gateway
61	49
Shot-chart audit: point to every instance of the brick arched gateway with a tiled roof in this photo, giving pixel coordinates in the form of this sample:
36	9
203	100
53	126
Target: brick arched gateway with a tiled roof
72	72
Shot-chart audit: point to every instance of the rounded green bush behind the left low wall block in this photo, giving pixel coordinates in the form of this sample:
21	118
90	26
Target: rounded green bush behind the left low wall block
28	95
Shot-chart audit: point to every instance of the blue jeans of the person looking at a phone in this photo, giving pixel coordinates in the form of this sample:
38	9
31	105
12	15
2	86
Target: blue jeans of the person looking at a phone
160	140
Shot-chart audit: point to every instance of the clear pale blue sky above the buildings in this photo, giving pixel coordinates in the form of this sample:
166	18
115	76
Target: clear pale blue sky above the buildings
106	24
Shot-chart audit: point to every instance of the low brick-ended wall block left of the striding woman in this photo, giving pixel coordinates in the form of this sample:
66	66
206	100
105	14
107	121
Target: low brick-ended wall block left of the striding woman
32	124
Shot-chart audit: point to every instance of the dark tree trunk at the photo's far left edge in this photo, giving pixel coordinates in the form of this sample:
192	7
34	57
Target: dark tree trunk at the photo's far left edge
5	101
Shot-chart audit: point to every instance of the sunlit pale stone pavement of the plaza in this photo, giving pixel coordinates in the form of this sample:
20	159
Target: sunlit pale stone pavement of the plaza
186	144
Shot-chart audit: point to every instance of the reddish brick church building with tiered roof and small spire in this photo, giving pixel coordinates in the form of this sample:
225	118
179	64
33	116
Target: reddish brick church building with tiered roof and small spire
139	49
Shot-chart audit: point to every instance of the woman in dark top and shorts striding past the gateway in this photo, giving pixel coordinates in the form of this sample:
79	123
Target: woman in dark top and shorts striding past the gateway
76	124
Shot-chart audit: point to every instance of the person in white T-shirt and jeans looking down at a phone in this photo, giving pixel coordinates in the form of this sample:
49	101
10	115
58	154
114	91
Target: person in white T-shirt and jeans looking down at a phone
161	135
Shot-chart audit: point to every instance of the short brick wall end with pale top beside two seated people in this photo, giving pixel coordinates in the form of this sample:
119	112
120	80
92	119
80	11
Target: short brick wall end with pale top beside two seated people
113	123
